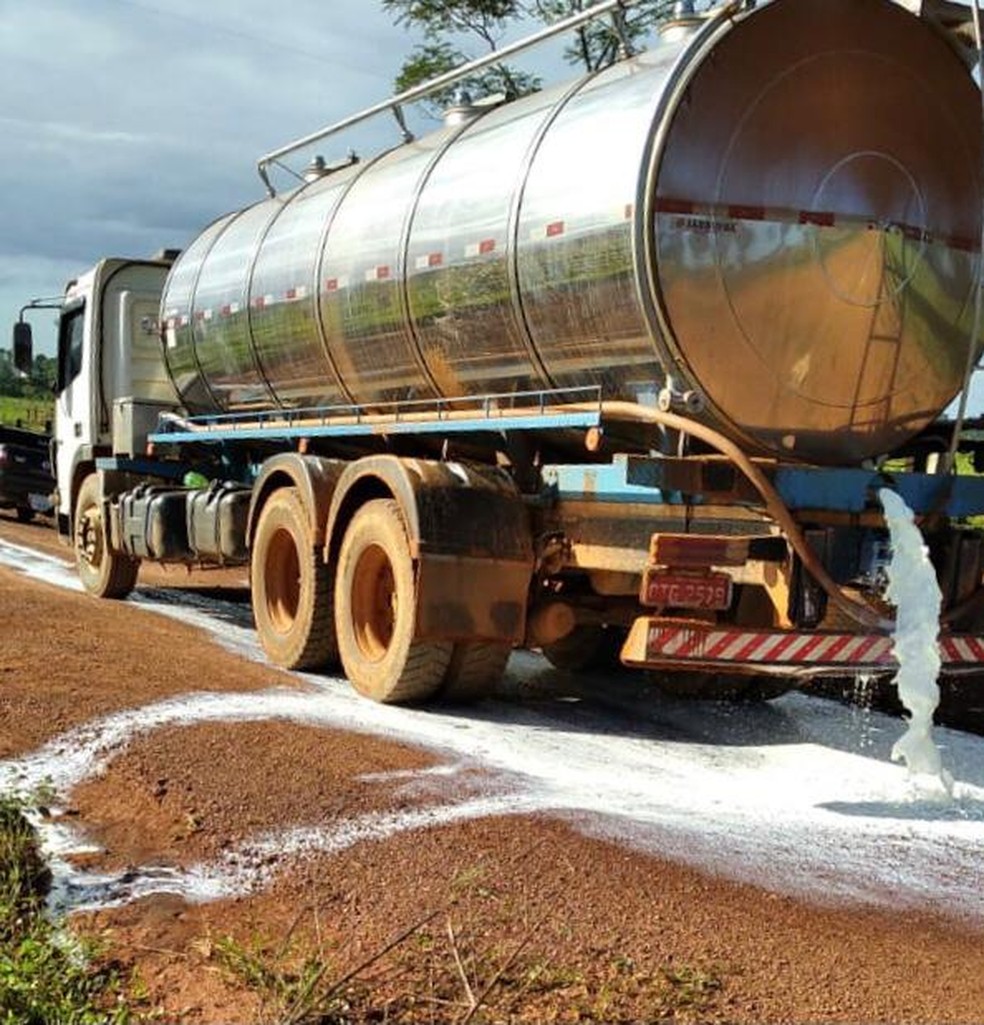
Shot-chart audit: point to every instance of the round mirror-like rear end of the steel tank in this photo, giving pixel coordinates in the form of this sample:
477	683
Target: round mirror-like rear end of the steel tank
816	202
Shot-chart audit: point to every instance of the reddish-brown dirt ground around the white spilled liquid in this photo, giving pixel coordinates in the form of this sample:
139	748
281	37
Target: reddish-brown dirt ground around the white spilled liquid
556	926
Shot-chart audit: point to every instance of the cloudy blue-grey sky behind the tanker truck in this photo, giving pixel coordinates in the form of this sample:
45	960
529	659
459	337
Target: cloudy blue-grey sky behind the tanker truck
127	127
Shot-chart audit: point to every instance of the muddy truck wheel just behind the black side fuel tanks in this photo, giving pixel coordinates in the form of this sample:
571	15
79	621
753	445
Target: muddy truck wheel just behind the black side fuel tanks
292	588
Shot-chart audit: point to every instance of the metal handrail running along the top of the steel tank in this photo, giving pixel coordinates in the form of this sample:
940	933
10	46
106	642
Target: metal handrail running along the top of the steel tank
395	104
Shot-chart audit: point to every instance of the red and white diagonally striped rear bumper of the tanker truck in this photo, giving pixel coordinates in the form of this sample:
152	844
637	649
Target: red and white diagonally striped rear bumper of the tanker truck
661	643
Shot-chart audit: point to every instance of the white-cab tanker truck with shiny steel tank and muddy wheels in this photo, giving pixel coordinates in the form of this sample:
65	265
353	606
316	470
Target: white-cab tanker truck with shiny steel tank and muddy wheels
613	372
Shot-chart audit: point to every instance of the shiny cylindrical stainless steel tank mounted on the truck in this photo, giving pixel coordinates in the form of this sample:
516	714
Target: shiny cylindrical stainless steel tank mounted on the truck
771	220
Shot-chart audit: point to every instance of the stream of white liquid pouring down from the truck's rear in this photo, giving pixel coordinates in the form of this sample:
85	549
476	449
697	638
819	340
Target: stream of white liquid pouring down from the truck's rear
915	593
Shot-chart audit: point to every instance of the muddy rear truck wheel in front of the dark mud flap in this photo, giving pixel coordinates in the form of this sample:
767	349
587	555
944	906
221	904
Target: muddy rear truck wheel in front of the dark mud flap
377	611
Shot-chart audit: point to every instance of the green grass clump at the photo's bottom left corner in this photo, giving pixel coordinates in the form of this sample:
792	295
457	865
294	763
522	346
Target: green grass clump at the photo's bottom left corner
48	977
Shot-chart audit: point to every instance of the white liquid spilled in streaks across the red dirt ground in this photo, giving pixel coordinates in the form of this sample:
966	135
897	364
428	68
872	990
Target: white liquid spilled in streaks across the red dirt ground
798	796
